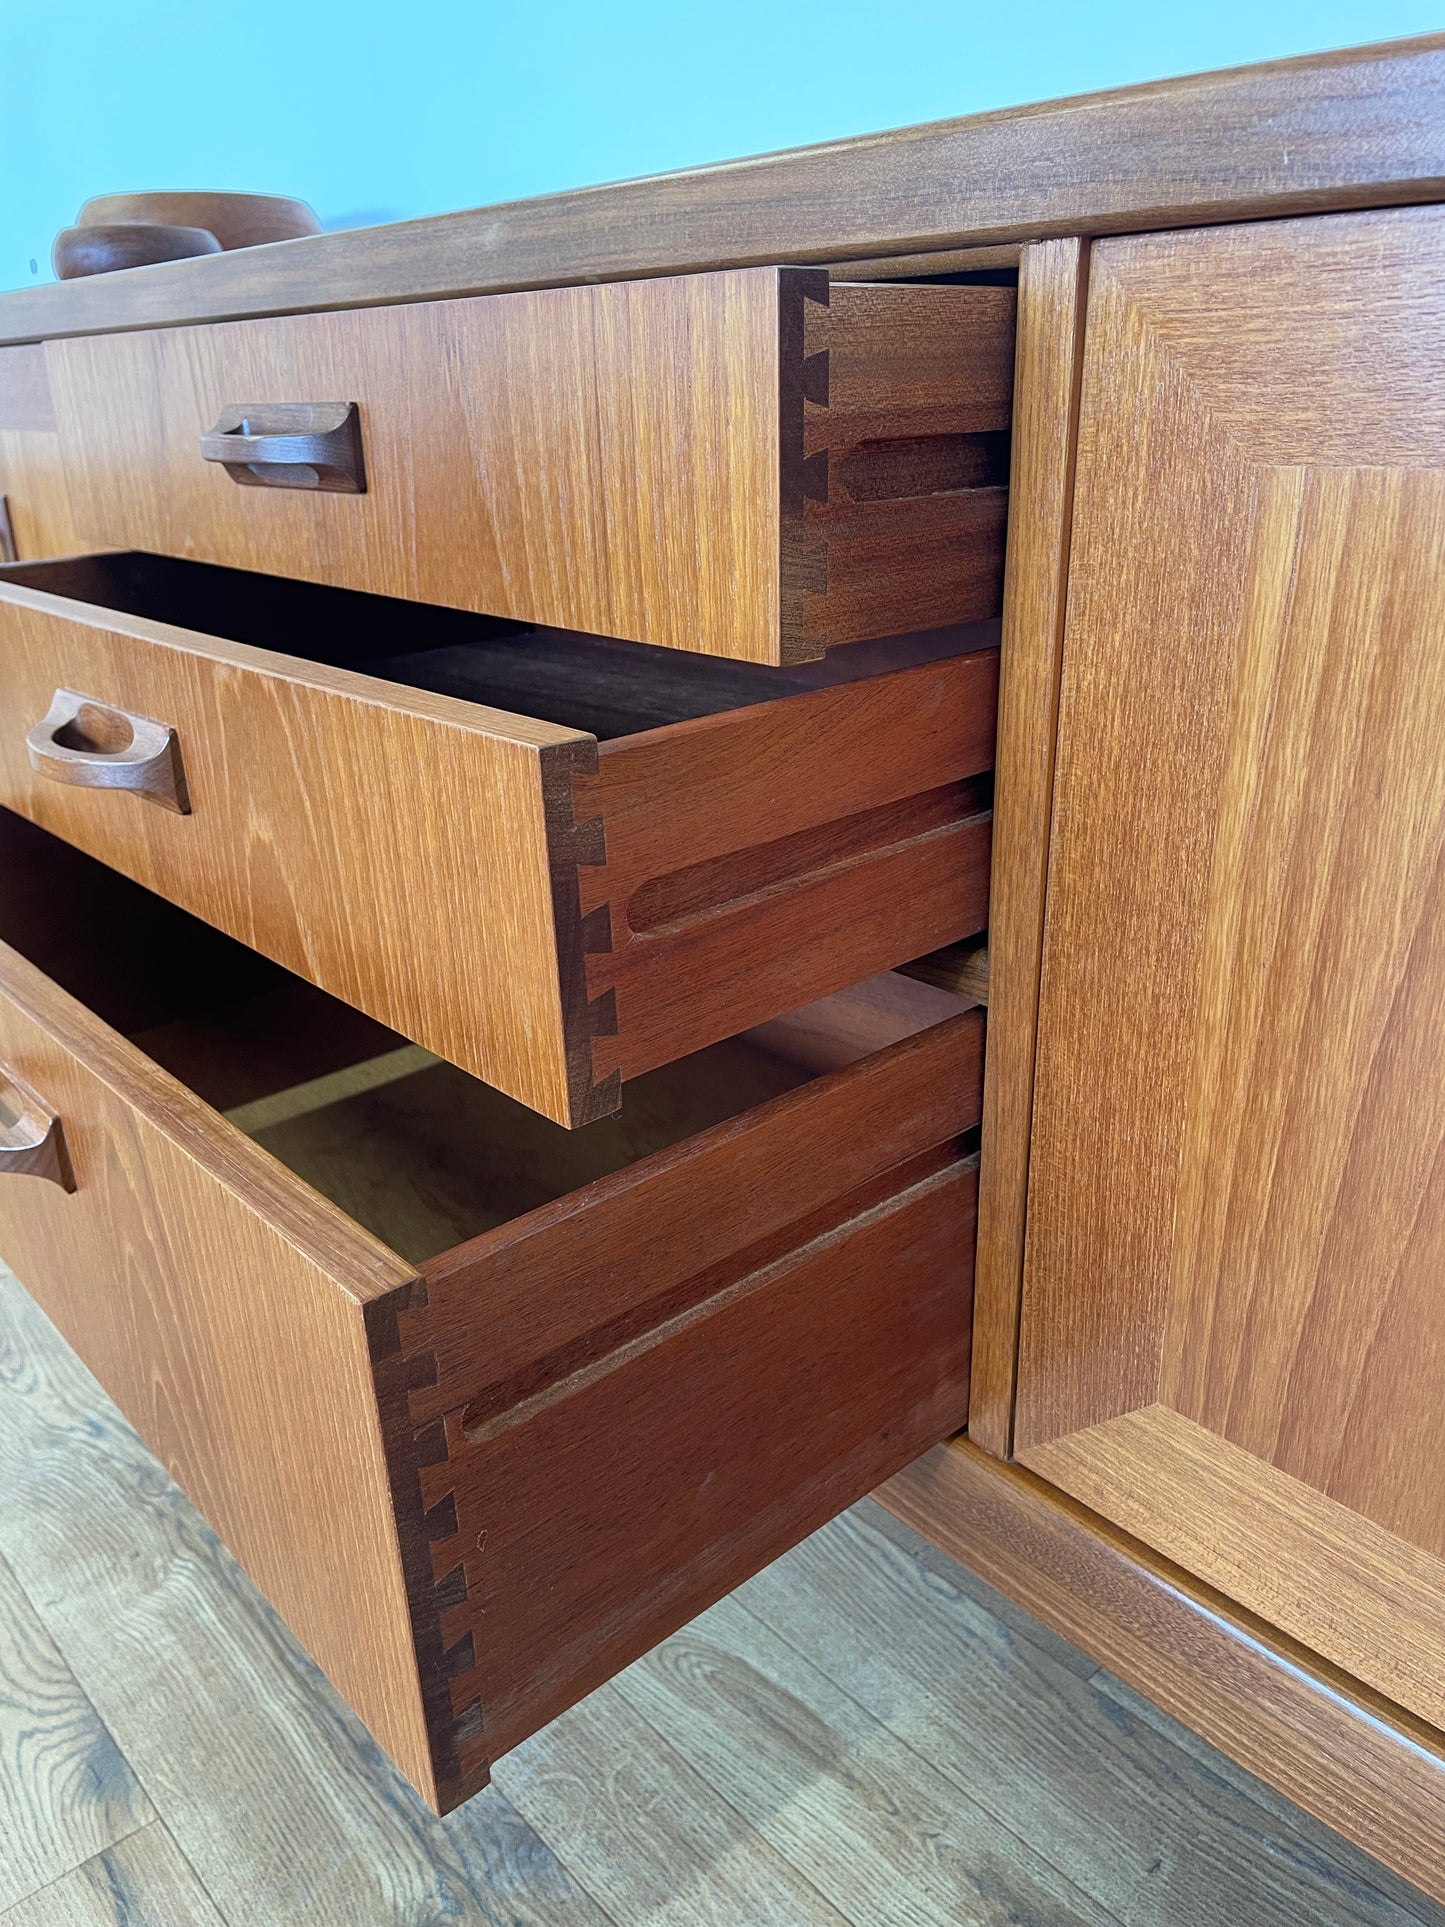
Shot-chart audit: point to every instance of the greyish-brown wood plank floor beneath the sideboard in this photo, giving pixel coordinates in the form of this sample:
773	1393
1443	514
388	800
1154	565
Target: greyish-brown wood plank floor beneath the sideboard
862	1735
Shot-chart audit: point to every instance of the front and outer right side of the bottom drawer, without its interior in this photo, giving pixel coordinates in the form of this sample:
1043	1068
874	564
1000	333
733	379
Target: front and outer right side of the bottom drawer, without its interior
481	1487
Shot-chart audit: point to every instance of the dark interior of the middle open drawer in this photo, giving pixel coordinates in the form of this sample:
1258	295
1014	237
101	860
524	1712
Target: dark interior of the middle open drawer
592	683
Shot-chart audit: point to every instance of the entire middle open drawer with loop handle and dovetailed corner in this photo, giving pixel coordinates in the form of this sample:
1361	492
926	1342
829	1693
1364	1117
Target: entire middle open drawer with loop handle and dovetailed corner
554	860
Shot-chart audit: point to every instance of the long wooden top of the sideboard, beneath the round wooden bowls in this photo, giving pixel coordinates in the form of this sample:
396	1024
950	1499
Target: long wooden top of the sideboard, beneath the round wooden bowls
1355	128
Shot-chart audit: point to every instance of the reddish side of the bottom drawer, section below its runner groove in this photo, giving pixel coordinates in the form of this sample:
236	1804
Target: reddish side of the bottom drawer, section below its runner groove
573	1533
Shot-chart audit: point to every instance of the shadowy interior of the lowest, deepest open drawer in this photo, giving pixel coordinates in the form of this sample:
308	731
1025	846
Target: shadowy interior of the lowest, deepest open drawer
415	1149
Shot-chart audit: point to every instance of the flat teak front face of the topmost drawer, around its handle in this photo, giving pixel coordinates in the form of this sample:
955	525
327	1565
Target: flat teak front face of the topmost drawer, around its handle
600	460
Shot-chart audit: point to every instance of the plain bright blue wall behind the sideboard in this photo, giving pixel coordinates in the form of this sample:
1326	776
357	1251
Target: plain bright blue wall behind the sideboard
375	113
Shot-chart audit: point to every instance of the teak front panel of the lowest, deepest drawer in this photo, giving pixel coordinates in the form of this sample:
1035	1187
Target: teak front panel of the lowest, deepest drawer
221	1304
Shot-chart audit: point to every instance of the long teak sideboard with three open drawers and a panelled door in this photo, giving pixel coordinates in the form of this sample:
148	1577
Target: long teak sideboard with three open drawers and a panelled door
681	853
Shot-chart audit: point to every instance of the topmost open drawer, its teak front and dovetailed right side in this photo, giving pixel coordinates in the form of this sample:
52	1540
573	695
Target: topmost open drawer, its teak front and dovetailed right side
745	463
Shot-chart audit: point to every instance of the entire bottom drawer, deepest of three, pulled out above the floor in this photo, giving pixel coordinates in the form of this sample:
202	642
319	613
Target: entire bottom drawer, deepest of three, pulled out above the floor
485	1408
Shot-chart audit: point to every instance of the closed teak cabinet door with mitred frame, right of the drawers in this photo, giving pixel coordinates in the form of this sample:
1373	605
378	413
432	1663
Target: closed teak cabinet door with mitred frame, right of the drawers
1234	1313
